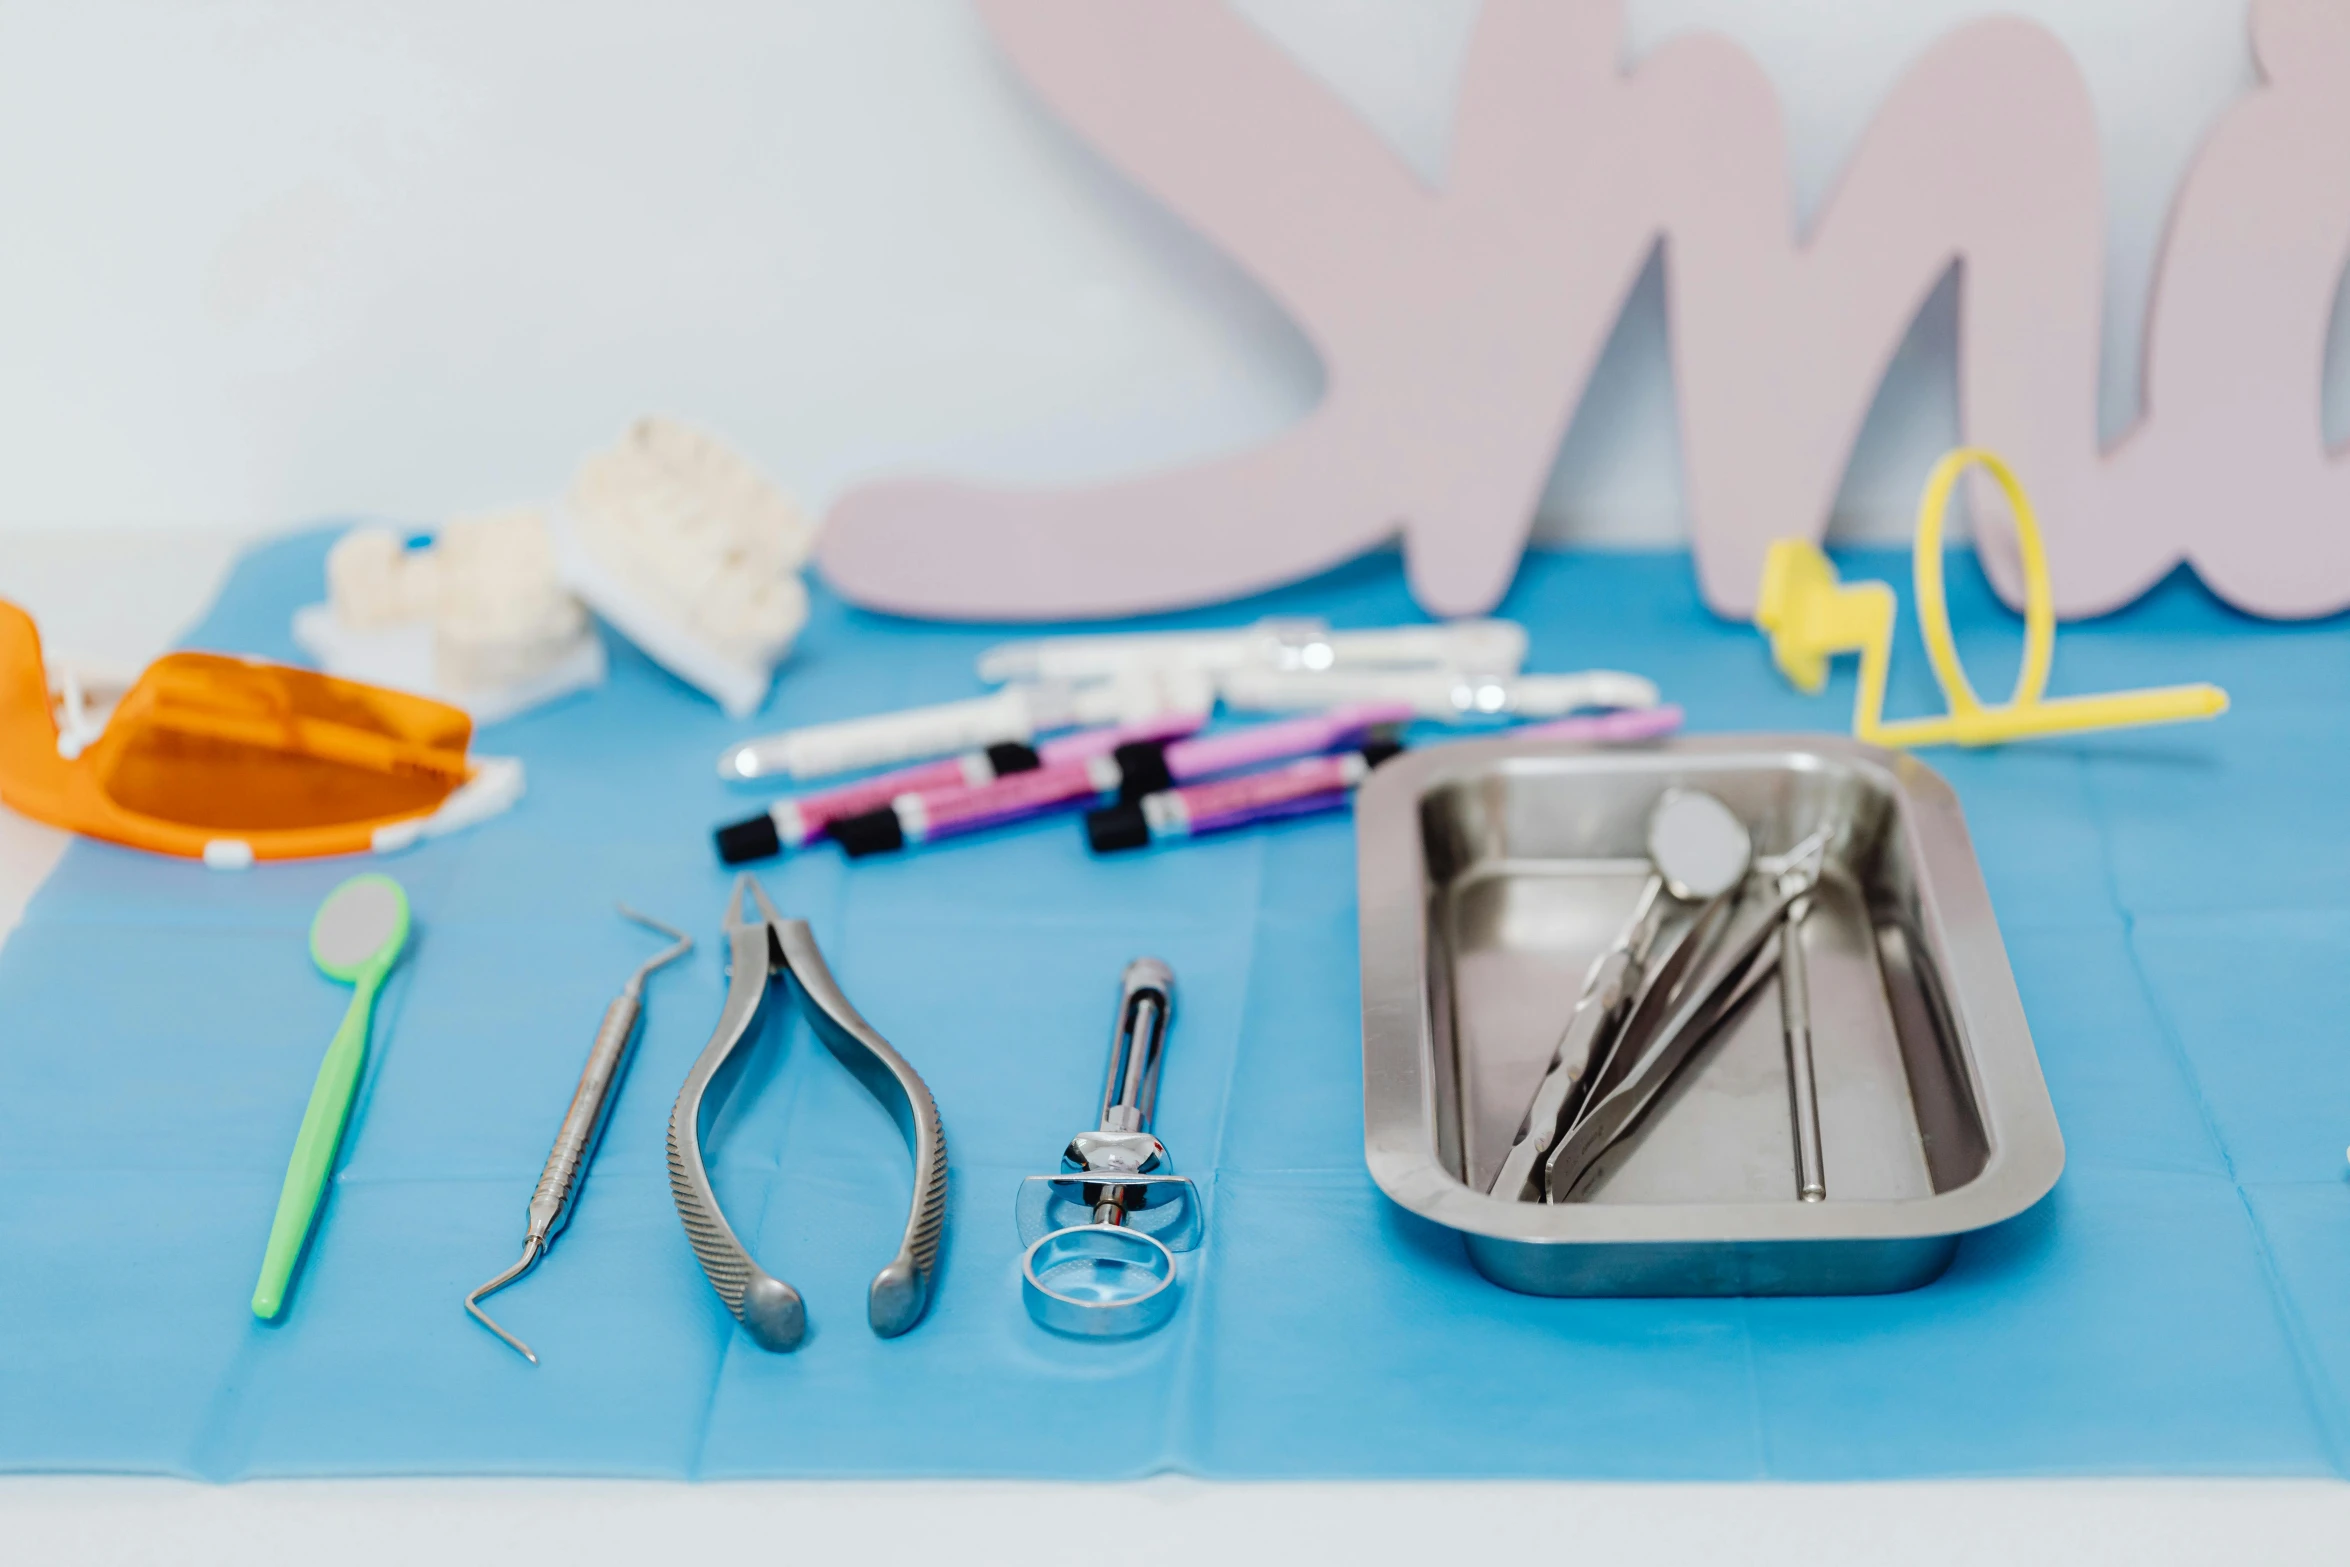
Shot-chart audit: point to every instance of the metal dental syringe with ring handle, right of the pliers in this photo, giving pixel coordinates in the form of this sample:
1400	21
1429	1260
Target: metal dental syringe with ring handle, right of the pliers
1103	1232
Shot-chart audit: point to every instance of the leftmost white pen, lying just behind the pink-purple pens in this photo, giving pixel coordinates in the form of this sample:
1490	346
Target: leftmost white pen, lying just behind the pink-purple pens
1014	713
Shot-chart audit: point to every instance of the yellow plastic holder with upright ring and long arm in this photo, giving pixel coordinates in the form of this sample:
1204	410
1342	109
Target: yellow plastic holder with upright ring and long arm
1813	617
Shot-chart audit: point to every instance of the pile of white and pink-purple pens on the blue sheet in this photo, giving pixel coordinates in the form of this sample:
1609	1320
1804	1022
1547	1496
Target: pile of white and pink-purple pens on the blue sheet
976	765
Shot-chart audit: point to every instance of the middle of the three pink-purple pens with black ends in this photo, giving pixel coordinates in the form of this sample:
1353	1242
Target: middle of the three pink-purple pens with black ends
1129	772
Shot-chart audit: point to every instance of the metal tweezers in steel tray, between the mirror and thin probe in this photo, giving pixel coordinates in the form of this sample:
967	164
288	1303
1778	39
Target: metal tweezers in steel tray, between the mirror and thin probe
1646	1063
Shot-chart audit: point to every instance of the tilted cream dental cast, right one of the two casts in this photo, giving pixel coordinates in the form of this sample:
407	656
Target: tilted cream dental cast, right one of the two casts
690	553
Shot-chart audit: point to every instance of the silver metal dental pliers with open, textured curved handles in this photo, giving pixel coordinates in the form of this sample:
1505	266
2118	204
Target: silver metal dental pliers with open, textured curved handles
763	950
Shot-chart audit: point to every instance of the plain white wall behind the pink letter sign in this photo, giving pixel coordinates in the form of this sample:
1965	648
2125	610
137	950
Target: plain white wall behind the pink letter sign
278	260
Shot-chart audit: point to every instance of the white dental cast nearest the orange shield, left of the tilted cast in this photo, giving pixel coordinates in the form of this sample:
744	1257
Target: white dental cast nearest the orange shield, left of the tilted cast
476	619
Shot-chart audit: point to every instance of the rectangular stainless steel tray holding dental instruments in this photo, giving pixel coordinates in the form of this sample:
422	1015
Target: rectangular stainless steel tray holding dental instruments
1493	873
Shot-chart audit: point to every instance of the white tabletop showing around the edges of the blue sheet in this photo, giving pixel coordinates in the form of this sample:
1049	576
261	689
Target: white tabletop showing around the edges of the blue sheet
116	600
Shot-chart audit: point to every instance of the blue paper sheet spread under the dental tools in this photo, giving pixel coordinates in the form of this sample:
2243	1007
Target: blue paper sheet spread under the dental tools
2173	906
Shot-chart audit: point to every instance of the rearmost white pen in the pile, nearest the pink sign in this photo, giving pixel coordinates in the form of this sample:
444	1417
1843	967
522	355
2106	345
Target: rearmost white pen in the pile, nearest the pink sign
1493	647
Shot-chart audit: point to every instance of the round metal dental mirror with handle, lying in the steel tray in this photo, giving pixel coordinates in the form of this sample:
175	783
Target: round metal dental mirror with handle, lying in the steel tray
1698	852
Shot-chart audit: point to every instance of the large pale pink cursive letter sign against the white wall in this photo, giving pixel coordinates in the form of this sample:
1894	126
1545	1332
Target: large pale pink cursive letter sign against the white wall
1461	325
